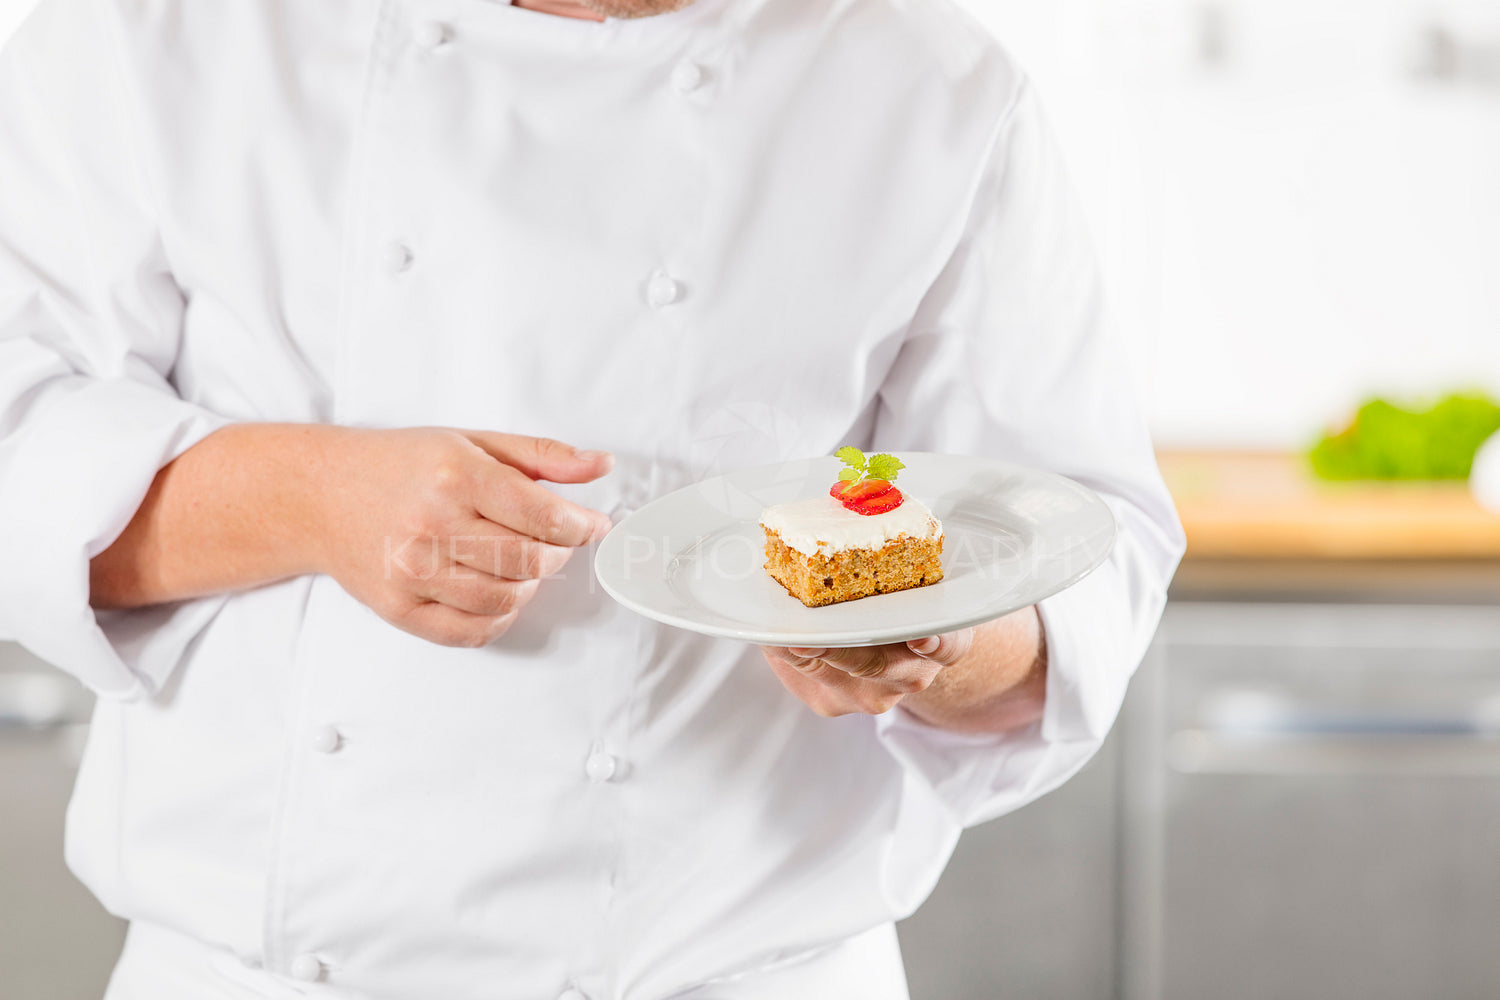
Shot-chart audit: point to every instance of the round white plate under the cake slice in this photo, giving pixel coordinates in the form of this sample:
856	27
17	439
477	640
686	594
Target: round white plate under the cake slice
697	558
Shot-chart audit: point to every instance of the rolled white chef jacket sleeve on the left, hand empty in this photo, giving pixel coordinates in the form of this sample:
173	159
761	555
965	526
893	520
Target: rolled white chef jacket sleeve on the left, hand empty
91	322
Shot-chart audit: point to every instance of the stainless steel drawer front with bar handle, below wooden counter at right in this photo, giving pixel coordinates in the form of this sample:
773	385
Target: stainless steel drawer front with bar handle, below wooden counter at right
1328	813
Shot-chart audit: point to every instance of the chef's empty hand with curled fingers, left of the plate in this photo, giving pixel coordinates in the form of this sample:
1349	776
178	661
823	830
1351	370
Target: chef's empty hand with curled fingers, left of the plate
446	534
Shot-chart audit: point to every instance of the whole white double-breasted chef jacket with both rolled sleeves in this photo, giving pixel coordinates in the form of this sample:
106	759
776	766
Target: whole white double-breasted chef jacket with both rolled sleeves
743	233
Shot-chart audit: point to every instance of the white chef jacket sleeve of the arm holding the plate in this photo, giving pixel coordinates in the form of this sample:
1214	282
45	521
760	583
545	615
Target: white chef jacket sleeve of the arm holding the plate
1010	358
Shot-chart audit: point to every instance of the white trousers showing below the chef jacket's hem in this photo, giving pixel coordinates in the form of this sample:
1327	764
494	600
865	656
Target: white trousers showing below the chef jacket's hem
161	965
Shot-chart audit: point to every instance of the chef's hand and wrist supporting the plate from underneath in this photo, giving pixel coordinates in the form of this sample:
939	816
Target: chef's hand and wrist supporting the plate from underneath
985	680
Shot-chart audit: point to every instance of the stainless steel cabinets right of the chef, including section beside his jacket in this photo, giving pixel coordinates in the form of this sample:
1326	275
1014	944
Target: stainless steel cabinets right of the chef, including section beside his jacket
1301	801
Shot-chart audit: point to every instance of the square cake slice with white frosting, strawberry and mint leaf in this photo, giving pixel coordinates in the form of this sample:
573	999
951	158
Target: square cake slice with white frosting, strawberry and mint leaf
862	539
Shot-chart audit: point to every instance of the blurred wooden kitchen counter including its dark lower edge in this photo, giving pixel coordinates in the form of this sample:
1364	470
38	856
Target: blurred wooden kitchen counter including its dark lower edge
1261	522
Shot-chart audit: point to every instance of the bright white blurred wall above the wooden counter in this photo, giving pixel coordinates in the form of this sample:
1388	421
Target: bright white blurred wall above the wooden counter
1295	224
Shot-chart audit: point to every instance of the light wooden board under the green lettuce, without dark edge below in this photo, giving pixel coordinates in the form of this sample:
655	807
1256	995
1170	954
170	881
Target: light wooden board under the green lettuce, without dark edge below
1267	504
